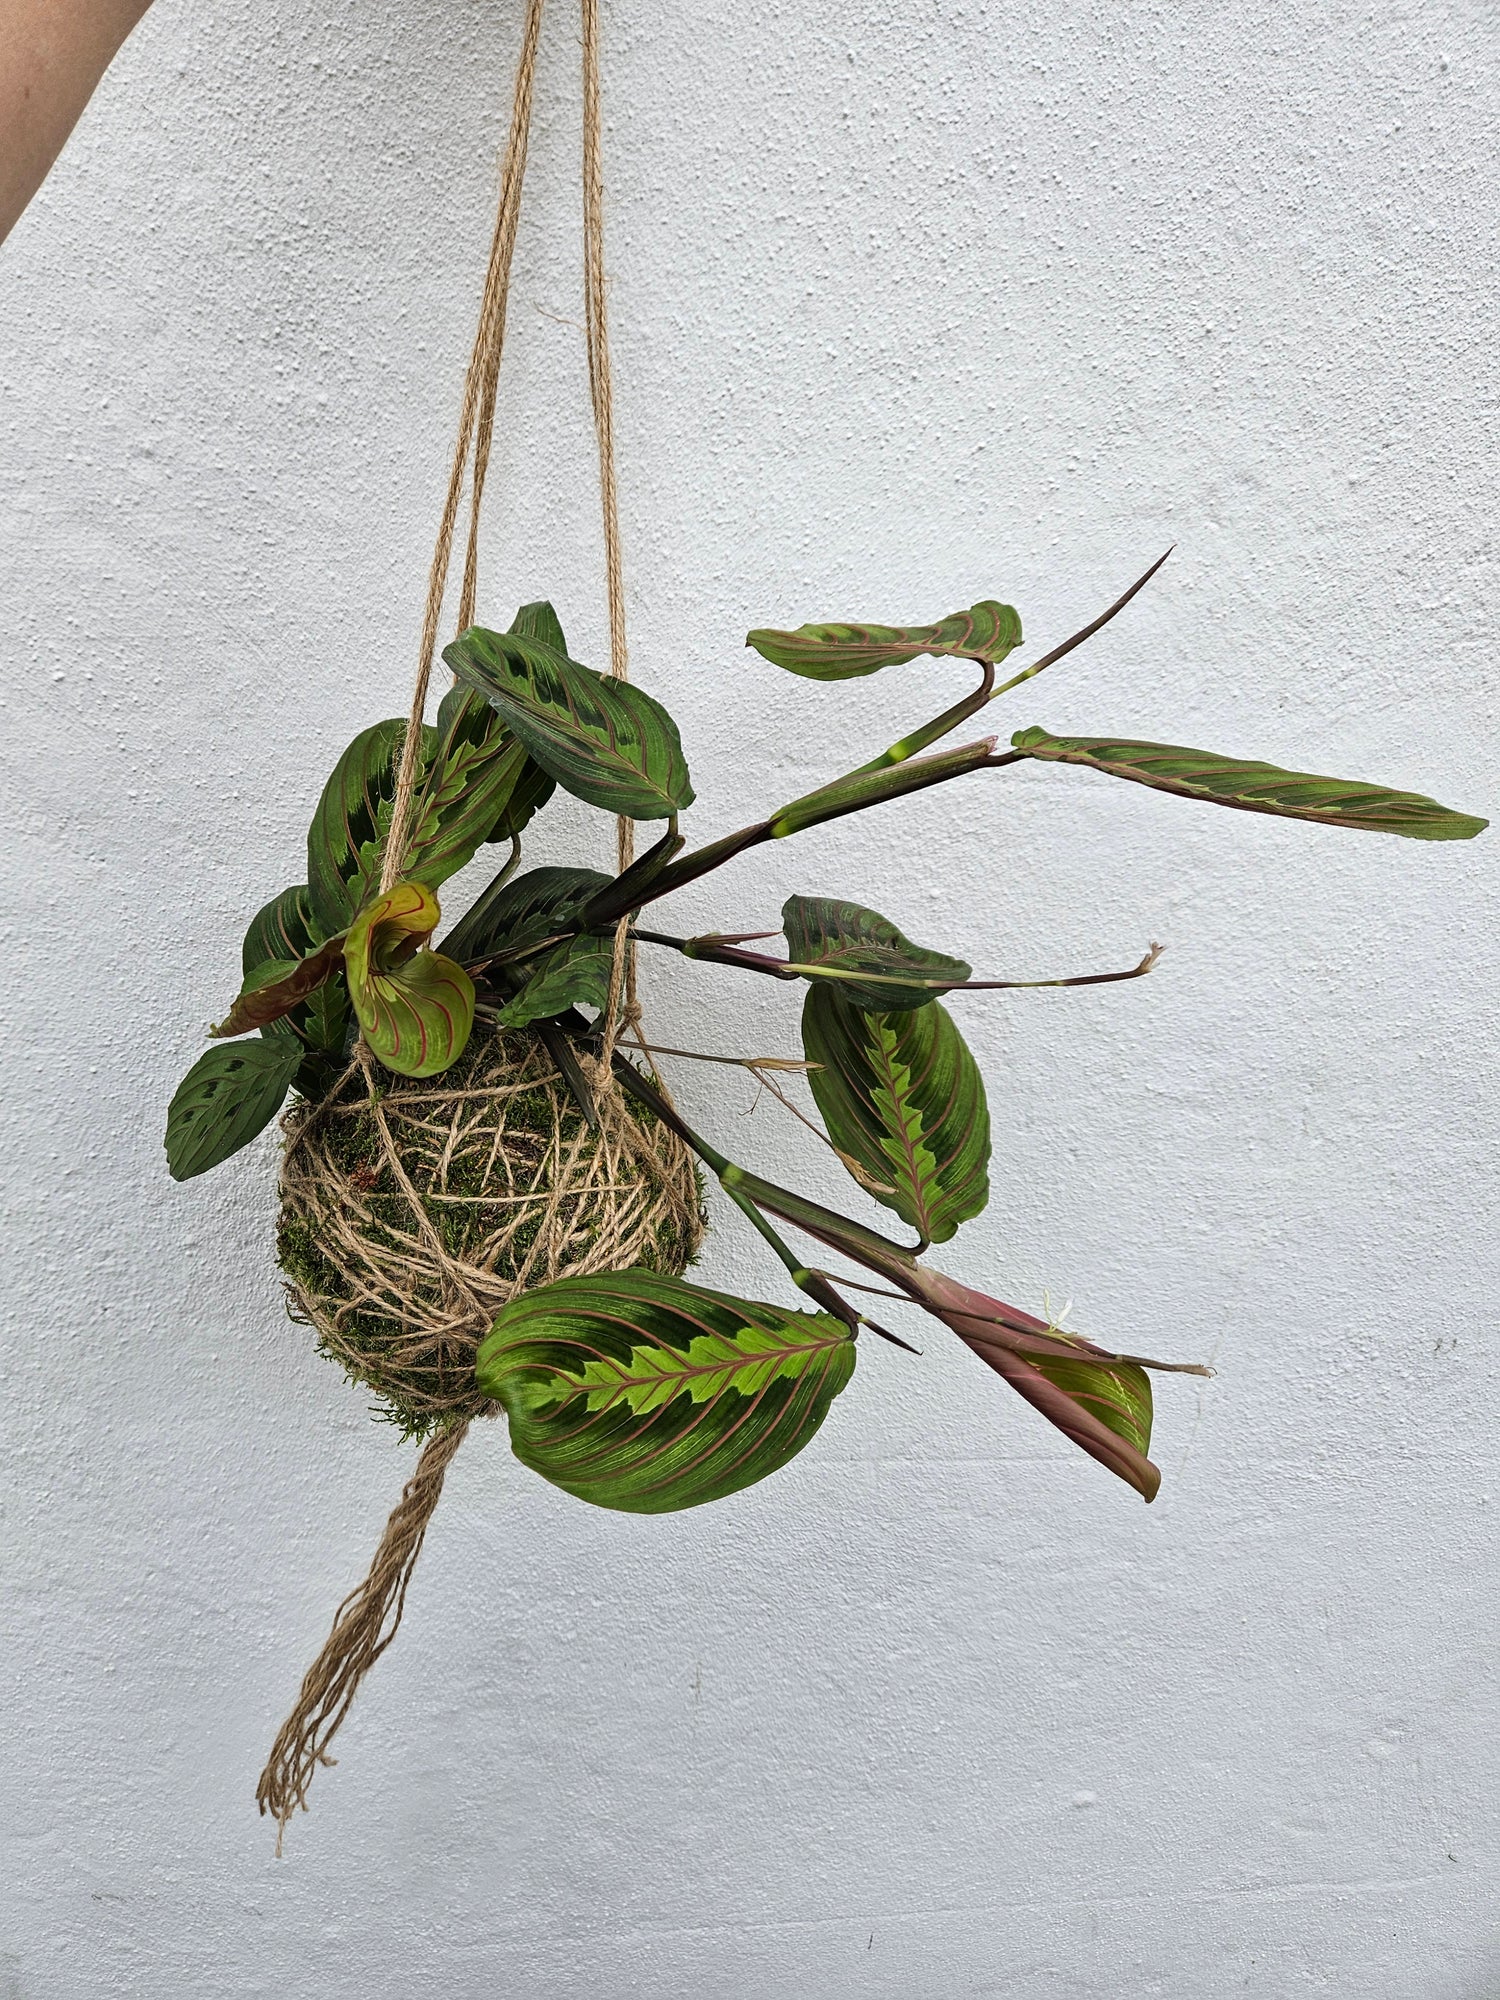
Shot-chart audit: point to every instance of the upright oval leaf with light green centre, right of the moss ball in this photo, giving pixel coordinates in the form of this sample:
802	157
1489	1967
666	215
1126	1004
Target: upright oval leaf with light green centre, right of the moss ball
905	1103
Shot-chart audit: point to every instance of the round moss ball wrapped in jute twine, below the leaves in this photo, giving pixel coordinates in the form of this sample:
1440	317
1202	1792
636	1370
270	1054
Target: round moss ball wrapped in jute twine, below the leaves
415	1211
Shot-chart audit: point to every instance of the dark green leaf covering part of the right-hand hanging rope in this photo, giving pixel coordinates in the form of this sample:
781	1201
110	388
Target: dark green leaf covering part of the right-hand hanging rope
601	739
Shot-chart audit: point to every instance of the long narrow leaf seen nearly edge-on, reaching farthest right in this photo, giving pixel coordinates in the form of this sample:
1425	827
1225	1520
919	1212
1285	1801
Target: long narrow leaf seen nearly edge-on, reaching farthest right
1257	787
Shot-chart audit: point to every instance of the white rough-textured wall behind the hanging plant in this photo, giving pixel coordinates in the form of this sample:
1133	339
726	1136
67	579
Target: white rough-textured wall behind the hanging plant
913	305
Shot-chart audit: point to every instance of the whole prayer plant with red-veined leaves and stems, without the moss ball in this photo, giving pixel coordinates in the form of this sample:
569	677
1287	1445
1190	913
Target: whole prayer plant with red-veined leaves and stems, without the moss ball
633	1389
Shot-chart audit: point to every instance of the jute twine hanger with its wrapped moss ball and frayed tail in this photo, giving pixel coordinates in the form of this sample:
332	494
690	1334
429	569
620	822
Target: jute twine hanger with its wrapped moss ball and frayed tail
423	1209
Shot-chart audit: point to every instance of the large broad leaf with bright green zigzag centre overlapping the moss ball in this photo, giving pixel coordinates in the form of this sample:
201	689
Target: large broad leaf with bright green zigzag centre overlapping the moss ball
643	1393
